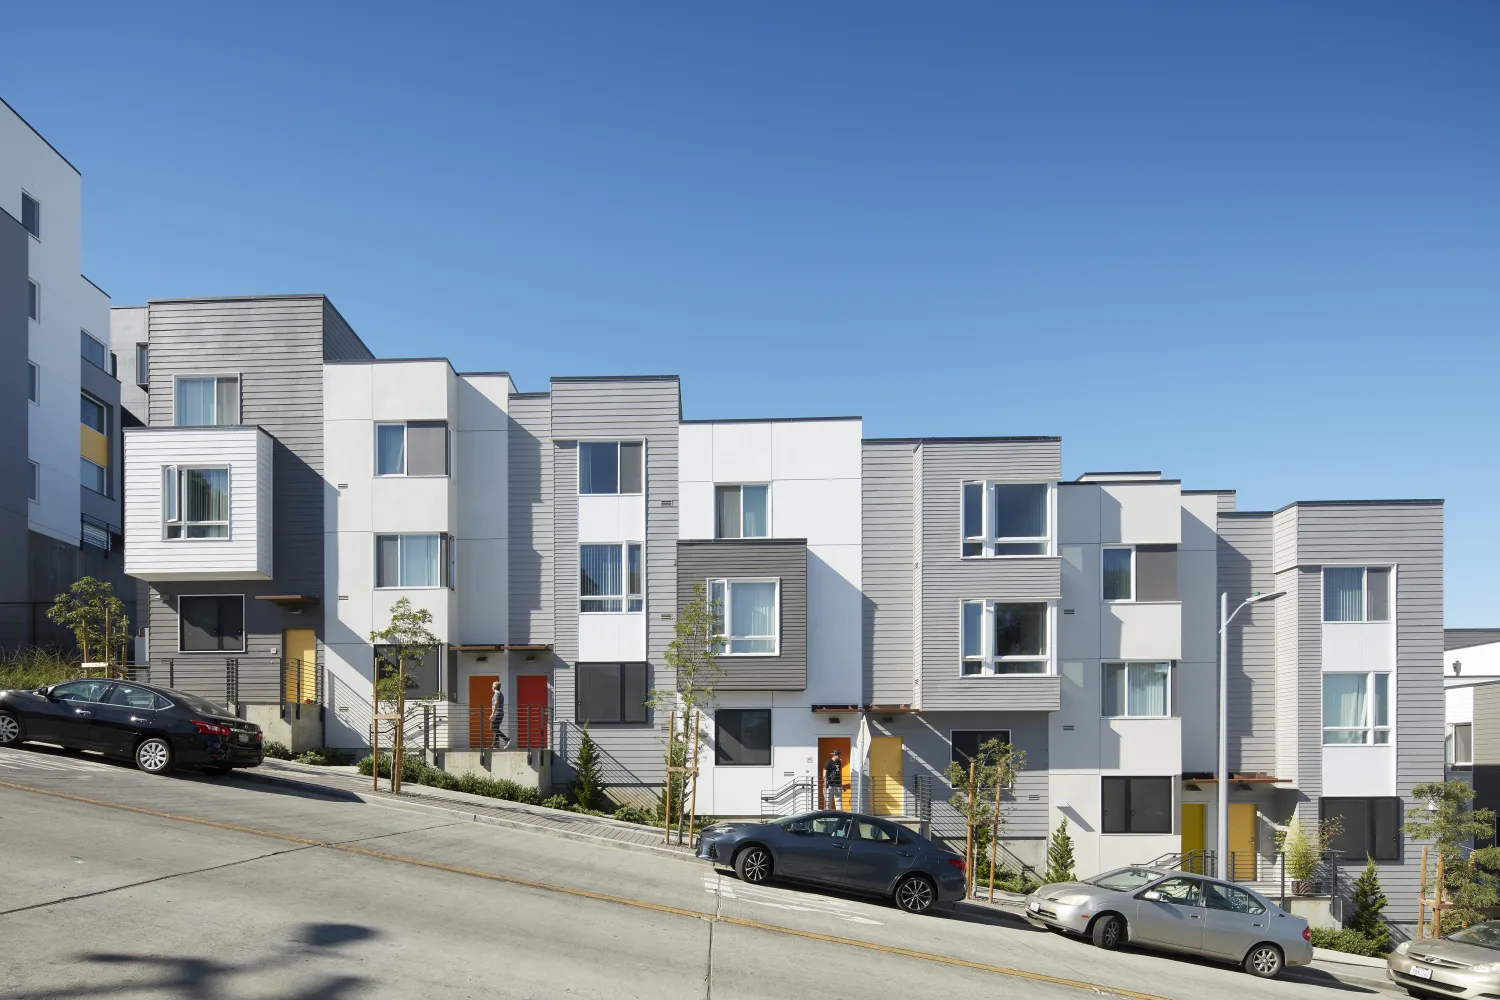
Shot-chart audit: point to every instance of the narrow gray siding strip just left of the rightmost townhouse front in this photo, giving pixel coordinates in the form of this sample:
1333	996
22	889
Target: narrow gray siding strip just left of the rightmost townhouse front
1244	567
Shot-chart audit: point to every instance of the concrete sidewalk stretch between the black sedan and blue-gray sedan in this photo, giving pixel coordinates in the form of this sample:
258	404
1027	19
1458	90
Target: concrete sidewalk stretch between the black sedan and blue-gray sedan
482	809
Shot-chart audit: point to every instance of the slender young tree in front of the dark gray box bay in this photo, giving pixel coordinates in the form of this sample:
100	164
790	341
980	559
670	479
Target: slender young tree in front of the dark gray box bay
694	659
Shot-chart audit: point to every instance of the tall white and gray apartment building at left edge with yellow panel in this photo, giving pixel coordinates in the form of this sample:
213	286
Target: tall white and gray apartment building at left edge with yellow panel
59	397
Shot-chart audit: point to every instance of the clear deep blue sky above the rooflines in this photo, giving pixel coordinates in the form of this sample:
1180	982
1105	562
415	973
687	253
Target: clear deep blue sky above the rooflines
1253	247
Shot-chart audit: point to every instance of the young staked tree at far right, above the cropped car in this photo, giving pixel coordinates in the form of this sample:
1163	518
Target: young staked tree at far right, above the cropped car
1444	815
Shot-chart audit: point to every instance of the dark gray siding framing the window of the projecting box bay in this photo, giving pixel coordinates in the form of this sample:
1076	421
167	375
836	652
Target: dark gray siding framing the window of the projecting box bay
787	560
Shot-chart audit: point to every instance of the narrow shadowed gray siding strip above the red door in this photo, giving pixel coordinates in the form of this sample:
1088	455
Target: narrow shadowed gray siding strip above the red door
530	446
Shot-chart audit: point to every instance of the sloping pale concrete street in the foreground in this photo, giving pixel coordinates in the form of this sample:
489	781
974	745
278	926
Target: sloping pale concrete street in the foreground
247	887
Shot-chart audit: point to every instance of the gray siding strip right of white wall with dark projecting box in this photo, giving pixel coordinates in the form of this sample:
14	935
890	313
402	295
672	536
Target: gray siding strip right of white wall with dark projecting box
889	567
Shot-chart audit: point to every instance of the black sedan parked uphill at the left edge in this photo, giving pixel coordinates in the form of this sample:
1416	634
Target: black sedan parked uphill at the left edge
158	729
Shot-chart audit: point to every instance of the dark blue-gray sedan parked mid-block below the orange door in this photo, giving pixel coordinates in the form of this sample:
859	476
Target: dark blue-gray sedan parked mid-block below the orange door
844	851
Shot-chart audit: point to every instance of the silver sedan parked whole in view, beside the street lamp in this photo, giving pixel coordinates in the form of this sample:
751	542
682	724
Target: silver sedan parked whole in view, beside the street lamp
1177	912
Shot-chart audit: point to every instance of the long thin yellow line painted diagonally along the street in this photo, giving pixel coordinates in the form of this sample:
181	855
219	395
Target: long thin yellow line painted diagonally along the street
604	897
